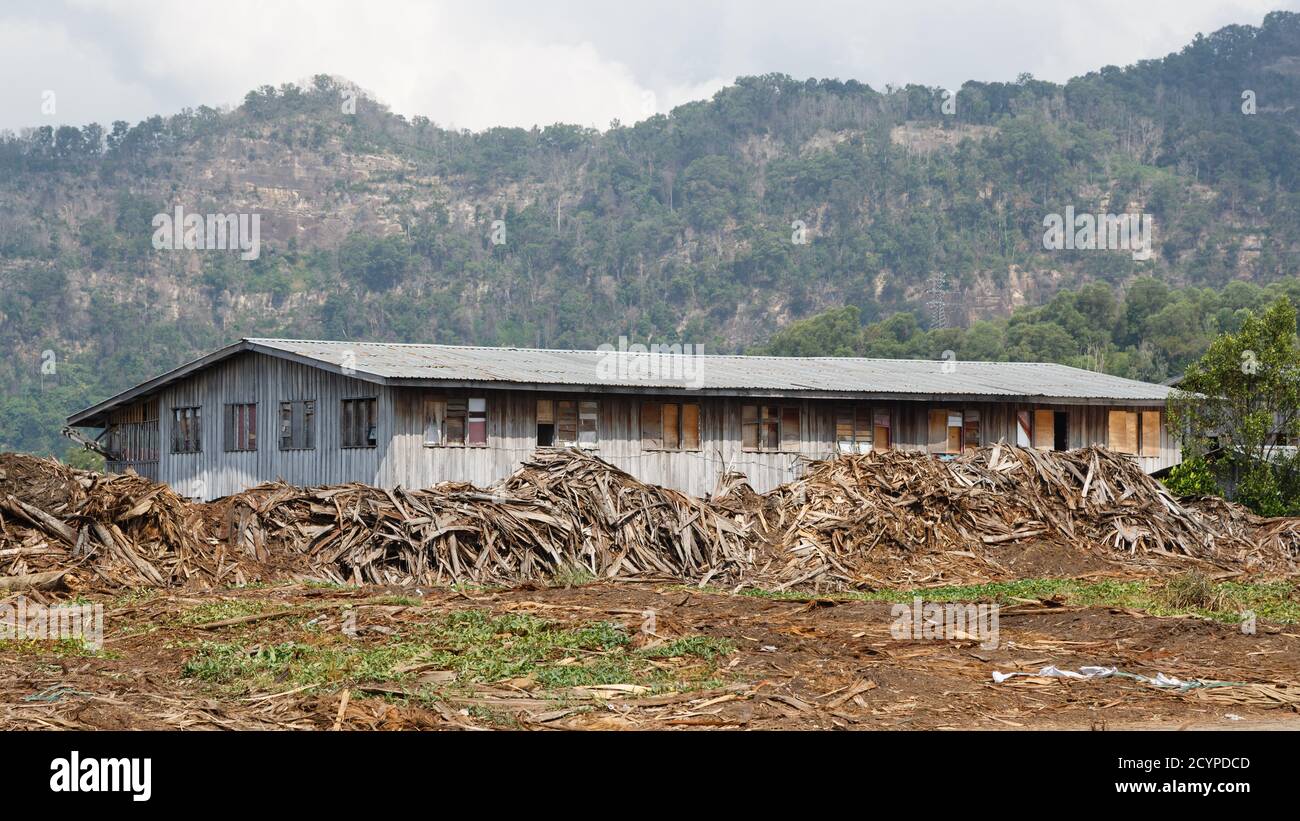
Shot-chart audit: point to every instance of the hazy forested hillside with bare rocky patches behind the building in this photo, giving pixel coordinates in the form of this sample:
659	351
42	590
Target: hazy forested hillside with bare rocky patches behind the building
718	224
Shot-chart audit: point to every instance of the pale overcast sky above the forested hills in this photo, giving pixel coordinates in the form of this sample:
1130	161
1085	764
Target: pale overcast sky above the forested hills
482	63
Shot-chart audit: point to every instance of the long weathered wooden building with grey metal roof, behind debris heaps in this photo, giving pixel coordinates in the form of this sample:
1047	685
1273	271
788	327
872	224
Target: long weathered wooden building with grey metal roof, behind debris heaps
317	412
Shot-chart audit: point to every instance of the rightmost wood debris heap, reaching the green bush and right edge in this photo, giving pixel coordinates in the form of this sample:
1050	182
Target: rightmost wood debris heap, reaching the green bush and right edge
847	509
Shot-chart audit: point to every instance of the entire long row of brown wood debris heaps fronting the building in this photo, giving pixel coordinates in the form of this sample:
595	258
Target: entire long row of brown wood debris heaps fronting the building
570	515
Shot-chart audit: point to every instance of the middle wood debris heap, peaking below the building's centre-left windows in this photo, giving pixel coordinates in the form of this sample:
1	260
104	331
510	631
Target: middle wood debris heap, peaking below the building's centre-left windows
561	514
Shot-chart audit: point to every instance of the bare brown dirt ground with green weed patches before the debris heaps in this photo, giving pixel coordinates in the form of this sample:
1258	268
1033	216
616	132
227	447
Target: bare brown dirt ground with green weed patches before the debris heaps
626	657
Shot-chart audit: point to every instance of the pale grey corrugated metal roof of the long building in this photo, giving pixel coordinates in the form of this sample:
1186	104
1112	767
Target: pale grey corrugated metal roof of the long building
395	362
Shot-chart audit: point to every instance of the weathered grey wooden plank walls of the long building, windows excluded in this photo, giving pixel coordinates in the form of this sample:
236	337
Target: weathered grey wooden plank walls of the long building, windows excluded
402	457
